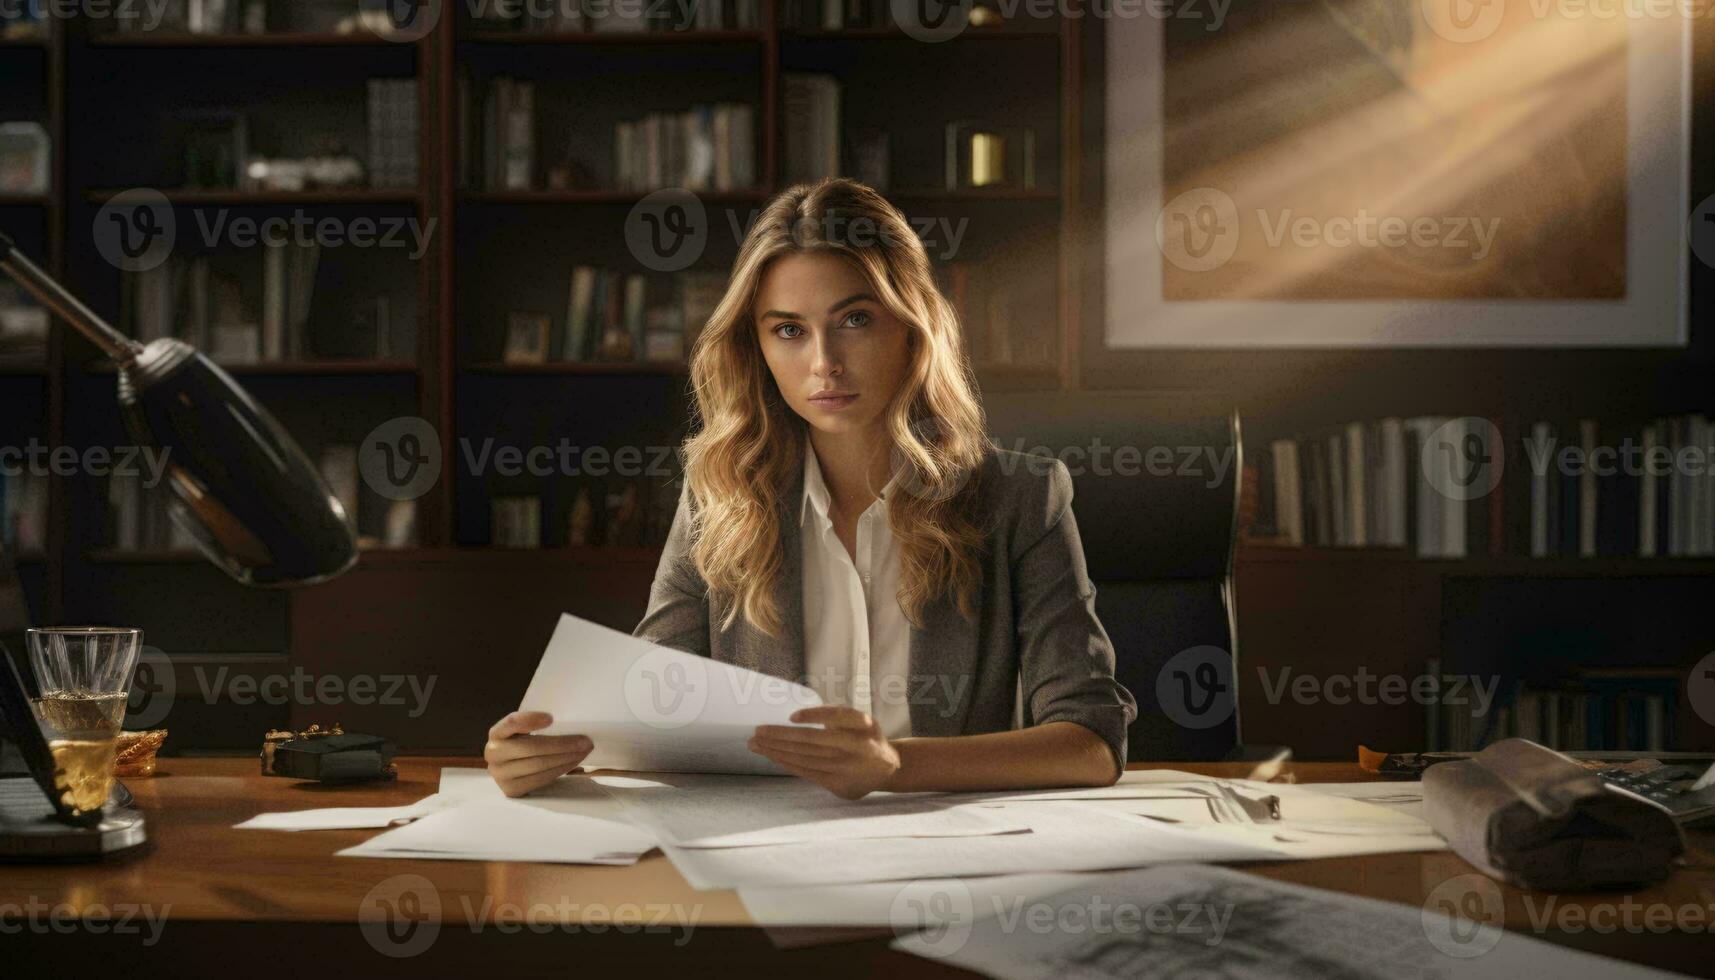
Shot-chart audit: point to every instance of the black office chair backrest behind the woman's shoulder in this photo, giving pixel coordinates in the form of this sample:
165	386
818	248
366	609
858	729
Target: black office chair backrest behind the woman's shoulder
1157	504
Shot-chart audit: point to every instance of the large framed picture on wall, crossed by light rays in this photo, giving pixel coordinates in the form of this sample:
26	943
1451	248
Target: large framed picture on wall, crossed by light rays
1397	174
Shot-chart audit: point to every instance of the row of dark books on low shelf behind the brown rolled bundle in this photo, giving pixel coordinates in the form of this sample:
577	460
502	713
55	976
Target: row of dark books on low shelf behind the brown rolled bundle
1589	715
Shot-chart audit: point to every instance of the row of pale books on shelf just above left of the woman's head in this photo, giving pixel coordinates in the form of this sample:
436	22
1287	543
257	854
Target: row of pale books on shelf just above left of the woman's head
702	148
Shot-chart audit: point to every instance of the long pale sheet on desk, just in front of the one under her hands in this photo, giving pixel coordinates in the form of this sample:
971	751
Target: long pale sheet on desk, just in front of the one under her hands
1064	838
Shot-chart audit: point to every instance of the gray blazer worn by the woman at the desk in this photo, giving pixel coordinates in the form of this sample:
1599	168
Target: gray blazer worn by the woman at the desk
1037	636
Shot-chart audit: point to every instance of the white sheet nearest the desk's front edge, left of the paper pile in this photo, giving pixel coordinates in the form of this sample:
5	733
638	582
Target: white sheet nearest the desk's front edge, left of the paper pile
505	832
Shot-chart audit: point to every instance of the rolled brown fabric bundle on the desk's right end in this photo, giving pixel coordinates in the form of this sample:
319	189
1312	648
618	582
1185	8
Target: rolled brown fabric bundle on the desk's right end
1534	818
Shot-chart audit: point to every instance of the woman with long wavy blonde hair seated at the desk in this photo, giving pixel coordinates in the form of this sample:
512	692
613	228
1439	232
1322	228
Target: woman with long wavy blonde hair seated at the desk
848	524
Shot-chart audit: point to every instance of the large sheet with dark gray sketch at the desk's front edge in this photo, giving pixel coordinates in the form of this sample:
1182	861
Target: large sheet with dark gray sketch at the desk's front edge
1198	921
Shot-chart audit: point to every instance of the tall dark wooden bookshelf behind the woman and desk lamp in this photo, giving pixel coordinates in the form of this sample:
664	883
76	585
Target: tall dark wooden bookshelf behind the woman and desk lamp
112	102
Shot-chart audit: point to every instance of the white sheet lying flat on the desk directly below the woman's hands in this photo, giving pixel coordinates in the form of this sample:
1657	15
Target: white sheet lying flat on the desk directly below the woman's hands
697	811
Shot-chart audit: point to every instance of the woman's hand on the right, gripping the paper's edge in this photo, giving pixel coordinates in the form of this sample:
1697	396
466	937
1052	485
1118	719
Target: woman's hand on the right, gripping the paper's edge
848	758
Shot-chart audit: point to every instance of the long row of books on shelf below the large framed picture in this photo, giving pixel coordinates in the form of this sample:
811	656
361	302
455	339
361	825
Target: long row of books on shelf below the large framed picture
1496	488
